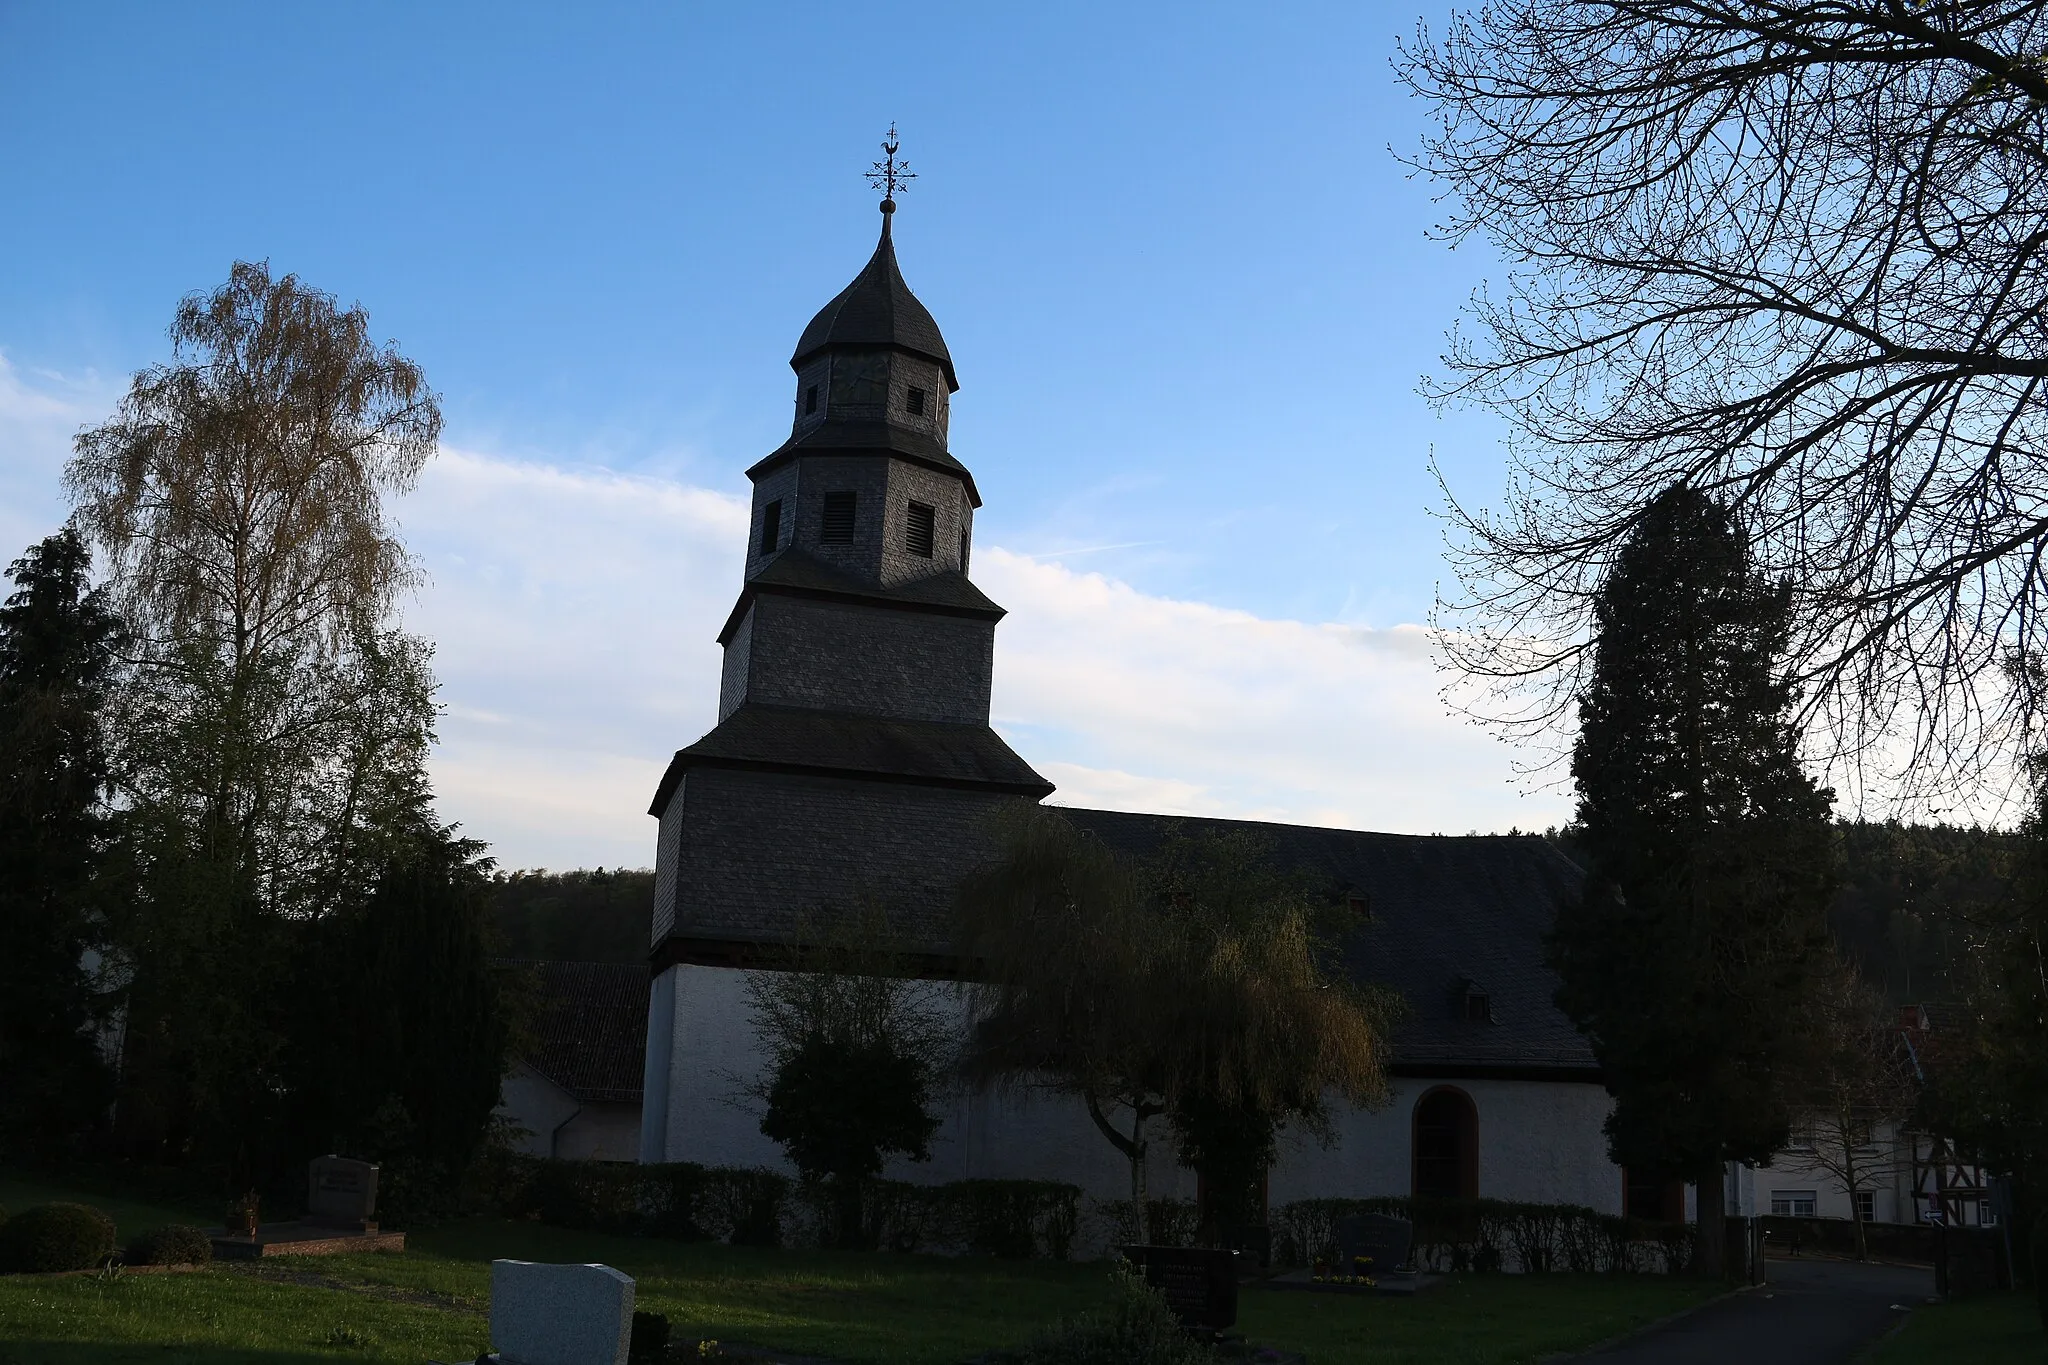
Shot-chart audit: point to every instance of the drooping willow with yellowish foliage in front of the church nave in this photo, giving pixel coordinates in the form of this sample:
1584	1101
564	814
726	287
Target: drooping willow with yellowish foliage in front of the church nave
1195	983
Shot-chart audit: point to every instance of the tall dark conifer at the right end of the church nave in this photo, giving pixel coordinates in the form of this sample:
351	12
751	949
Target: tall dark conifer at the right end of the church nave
1711	858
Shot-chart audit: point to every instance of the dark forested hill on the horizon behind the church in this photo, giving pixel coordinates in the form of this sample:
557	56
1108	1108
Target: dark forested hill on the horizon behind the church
1906	910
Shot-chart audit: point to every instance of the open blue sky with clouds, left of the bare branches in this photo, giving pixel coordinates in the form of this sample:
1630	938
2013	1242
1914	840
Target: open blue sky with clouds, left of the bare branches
1185	279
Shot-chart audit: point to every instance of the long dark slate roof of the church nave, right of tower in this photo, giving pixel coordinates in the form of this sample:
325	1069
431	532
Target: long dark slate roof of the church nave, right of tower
1445	912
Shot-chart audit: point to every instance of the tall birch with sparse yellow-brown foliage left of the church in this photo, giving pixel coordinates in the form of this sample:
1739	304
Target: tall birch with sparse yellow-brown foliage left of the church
239	504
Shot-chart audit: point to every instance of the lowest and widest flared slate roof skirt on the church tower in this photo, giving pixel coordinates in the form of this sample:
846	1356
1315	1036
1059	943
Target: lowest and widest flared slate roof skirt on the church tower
847	744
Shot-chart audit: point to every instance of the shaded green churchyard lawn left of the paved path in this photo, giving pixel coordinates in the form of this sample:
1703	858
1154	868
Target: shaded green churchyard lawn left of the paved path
859	1309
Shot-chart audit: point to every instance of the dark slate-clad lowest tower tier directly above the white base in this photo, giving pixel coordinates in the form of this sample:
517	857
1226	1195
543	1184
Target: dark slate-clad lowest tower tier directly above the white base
761	850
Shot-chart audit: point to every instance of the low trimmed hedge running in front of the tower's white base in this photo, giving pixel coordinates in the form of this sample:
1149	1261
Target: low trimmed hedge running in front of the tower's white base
765	1208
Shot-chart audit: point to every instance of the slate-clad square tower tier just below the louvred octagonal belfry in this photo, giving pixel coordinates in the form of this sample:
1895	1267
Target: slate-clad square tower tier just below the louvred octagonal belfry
857	658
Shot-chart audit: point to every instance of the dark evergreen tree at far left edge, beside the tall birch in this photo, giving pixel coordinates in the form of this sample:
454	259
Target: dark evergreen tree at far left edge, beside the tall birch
56	666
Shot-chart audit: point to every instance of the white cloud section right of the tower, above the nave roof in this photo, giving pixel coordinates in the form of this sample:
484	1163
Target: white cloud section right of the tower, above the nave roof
1154	705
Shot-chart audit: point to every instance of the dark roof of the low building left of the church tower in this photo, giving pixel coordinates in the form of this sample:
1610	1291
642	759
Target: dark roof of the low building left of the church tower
591	1028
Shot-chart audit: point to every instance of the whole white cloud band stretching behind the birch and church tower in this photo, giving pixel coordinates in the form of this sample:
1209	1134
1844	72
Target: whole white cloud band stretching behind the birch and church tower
577	609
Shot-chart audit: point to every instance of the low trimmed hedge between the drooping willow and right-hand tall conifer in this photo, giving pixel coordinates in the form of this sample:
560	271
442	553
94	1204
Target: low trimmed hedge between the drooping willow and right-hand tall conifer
1492	1235
